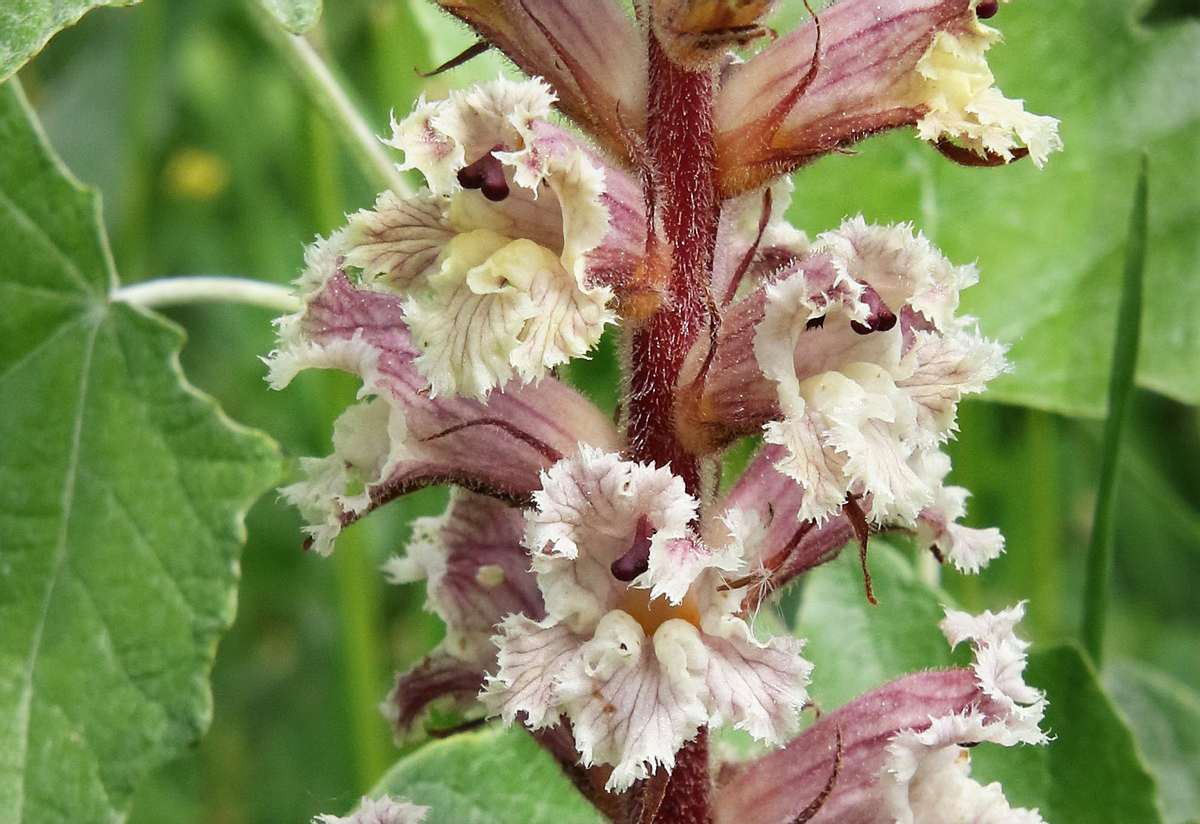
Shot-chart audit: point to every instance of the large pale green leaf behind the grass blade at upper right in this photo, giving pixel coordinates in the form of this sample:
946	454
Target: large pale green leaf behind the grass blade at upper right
1049	243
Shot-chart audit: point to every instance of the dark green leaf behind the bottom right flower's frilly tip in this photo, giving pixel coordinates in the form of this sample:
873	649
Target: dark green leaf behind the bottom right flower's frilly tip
1091	772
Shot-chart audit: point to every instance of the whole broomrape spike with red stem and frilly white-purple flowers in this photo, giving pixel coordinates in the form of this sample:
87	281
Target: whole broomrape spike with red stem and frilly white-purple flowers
597	587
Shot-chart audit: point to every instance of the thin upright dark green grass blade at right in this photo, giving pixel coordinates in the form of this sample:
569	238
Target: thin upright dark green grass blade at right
1125	359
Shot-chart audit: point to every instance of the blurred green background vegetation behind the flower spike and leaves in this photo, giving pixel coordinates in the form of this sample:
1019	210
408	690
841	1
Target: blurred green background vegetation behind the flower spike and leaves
211	161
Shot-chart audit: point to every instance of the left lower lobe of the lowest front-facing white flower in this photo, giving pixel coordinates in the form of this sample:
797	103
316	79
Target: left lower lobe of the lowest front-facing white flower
532	661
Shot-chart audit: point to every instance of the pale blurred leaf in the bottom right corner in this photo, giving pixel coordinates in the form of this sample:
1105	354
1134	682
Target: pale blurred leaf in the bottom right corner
1166	721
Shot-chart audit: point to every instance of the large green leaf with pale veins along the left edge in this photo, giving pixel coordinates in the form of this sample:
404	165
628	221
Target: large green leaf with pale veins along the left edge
122	497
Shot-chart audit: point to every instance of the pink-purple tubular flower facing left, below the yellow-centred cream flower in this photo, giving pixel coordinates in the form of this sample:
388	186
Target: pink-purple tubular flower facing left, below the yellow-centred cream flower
399	438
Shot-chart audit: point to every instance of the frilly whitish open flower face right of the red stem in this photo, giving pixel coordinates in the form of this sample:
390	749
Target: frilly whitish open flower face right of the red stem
871	362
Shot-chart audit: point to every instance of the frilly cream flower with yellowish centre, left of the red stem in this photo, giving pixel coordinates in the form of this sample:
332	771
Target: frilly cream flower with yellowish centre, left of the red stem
493	258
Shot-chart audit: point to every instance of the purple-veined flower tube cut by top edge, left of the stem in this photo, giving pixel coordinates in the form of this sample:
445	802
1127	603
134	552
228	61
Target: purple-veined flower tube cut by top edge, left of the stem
590	51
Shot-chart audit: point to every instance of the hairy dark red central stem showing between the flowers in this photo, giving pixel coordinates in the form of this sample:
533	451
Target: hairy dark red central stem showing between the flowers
683	213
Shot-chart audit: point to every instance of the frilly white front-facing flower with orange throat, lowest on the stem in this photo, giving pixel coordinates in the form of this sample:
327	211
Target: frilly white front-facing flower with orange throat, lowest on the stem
643	643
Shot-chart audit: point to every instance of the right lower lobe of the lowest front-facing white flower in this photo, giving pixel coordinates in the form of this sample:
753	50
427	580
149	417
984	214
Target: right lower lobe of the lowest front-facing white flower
757	687
